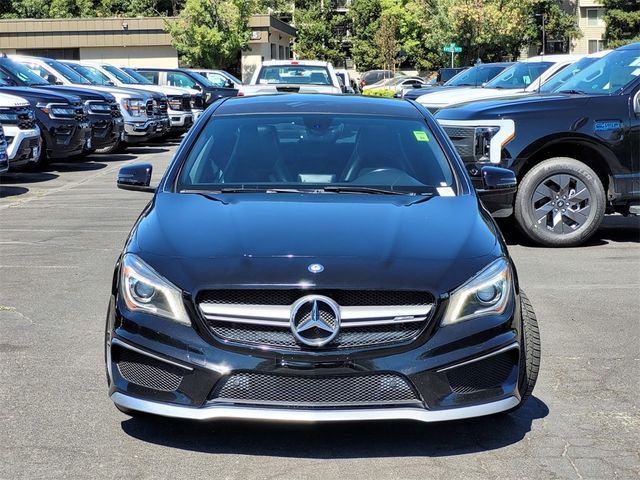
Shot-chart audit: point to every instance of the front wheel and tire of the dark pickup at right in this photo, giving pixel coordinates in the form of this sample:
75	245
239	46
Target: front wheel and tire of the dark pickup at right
560	203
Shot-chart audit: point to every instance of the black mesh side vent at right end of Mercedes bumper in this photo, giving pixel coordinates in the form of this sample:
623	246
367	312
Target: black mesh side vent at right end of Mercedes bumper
484	374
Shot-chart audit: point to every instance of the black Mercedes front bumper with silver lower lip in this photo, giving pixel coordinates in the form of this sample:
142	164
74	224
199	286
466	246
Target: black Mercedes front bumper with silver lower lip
143	353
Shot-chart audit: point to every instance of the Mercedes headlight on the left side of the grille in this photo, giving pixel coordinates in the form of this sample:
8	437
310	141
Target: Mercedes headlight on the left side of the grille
143	289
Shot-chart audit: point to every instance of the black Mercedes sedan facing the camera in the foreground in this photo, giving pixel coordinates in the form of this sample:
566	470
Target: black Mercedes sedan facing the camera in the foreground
318	258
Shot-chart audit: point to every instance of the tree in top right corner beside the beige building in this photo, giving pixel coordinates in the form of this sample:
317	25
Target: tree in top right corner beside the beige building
622	20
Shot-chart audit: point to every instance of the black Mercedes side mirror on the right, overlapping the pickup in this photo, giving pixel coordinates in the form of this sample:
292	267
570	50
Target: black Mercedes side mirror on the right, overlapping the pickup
499	187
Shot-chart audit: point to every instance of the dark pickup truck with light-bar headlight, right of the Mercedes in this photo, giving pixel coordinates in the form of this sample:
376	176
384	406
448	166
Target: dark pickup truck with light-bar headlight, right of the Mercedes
575	151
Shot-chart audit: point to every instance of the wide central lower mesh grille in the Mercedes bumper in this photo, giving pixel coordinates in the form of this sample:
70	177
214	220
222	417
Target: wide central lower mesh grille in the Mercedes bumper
257	388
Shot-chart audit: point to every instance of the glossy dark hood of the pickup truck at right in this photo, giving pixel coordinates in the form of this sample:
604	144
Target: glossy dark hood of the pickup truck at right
527	105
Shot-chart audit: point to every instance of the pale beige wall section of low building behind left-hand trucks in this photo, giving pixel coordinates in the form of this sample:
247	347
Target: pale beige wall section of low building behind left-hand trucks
155	56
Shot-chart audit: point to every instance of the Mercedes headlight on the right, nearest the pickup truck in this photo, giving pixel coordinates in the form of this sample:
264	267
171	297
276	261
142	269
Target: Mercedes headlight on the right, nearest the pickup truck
486	293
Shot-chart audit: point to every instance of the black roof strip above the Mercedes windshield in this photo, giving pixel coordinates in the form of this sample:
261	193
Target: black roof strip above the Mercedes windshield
317	103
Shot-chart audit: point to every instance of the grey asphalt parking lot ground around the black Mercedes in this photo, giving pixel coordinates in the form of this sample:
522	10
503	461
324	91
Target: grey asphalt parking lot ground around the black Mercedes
61	231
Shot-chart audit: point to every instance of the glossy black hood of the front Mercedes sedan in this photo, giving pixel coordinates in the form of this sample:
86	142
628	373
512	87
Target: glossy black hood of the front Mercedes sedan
363	241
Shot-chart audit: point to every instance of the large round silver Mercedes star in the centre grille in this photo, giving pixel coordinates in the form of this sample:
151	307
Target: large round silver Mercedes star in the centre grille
315	320
